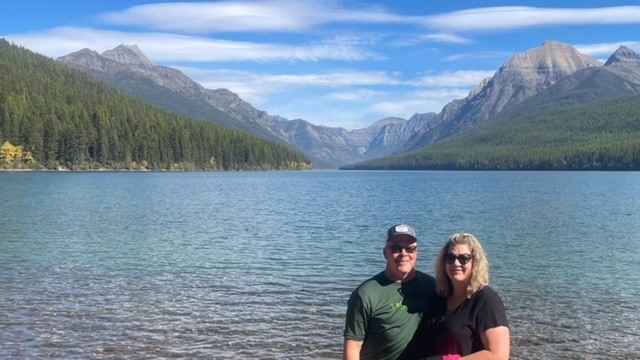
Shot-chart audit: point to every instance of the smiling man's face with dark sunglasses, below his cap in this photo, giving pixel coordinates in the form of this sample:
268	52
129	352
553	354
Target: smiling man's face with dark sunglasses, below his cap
401	253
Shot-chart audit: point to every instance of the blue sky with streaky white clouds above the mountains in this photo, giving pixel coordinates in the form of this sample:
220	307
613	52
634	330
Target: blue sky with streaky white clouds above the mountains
335	63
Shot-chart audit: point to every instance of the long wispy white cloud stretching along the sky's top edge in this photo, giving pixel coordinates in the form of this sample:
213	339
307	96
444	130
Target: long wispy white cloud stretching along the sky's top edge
299	16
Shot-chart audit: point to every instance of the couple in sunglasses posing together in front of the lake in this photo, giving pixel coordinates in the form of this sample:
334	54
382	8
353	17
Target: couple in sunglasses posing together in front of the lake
402	313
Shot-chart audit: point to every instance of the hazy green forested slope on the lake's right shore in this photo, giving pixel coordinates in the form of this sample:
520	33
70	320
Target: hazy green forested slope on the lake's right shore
603	135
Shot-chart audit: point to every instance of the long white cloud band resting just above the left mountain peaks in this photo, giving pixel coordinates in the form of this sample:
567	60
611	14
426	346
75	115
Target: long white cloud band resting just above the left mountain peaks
165	47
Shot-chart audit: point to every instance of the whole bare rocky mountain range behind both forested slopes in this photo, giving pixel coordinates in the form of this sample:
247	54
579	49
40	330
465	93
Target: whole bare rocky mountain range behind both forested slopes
554	74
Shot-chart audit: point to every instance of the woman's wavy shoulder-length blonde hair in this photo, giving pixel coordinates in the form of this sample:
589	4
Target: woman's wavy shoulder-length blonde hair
480	268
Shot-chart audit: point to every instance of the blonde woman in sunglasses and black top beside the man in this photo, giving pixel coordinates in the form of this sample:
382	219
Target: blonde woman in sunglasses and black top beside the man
474	325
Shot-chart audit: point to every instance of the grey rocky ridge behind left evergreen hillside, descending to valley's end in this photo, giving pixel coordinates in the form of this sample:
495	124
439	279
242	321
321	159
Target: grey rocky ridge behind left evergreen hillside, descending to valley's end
128	69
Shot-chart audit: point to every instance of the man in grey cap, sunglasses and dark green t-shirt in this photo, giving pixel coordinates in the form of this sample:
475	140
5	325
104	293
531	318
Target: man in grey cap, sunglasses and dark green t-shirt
384	312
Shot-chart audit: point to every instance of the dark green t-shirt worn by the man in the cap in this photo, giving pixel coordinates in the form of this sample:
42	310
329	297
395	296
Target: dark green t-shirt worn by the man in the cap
385	314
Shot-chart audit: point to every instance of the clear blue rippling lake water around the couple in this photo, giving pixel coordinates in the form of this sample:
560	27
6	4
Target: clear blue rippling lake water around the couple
259	265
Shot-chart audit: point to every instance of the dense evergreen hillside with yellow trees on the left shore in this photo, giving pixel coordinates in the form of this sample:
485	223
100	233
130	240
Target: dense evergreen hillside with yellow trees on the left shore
64	118
